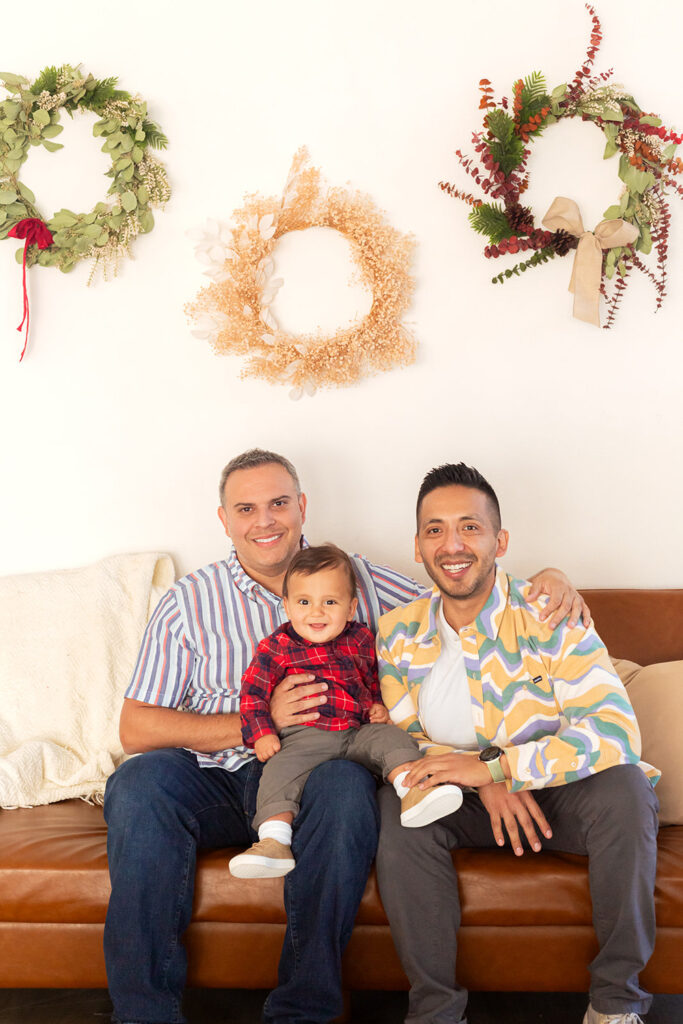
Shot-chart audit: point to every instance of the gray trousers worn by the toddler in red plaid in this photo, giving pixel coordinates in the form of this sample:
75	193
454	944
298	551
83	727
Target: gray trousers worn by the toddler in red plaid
379	748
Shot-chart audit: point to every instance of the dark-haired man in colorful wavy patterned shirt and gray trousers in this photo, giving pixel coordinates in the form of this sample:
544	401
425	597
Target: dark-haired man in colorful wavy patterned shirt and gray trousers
535	720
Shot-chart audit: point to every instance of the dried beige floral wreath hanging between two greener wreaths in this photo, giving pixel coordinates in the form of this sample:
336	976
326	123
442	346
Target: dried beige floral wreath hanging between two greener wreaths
234	314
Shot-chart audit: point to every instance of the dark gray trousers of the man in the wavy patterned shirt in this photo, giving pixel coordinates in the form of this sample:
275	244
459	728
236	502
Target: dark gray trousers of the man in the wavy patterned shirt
611	817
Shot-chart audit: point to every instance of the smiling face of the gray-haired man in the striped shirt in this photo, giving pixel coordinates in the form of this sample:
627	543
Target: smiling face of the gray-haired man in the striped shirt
263	515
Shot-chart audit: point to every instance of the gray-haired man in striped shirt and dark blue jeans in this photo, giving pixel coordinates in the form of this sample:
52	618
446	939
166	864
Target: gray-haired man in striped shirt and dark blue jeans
182	715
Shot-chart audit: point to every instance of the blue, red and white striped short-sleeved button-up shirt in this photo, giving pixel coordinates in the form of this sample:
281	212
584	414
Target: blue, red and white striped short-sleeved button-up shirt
205	631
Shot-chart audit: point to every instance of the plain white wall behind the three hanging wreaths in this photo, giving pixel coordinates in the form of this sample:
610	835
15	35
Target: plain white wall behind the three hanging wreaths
115	428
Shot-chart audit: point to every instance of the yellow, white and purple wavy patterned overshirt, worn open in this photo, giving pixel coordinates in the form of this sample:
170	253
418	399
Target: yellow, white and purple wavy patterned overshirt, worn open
550	699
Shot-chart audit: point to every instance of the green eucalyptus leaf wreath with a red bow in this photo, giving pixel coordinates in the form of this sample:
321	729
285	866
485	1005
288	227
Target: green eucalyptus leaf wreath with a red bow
31	117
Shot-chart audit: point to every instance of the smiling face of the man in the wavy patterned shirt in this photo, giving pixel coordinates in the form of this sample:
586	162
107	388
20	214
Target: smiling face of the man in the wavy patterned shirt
458	541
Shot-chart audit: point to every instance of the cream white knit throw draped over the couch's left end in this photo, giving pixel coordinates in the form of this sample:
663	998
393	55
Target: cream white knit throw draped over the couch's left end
68	647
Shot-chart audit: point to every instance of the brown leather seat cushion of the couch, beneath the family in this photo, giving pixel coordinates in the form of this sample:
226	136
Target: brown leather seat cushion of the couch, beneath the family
54	869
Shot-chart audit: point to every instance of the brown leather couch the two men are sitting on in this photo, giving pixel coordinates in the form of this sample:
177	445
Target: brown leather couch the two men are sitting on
527	923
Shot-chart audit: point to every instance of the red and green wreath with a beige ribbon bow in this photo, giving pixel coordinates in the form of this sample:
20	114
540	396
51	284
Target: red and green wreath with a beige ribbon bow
635	226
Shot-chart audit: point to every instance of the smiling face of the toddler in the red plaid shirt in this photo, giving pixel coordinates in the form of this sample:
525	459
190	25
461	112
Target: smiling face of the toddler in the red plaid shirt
320	606
